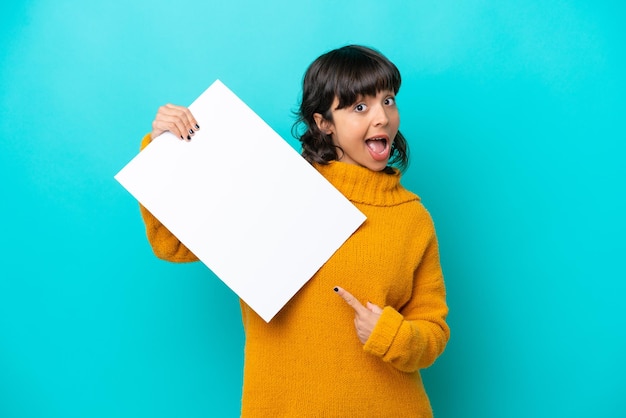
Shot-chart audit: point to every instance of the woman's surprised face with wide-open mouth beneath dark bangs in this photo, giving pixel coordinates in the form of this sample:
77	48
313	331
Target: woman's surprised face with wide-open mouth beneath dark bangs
364	130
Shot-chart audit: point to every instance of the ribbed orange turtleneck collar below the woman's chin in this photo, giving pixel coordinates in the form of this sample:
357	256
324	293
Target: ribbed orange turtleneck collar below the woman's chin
362	185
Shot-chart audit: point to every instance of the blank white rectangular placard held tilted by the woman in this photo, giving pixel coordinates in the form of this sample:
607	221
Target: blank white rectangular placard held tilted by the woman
243	201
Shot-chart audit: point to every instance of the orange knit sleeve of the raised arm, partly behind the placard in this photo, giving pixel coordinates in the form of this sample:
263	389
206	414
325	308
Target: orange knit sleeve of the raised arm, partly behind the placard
164	244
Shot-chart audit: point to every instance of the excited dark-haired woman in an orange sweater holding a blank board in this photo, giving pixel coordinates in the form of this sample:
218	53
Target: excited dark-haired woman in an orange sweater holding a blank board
351	342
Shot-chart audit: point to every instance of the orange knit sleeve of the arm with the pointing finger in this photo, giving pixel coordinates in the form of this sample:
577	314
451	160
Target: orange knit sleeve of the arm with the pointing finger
413	338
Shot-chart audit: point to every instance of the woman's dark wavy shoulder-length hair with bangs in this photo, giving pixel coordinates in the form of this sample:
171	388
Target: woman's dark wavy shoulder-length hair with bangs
346	73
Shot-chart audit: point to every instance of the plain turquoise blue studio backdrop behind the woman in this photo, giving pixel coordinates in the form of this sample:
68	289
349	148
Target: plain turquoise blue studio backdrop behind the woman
515	115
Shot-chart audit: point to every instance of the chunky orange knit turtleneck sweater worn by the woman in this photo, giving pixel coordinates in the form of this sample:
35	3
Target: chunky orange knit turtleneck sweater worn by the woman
308	361
